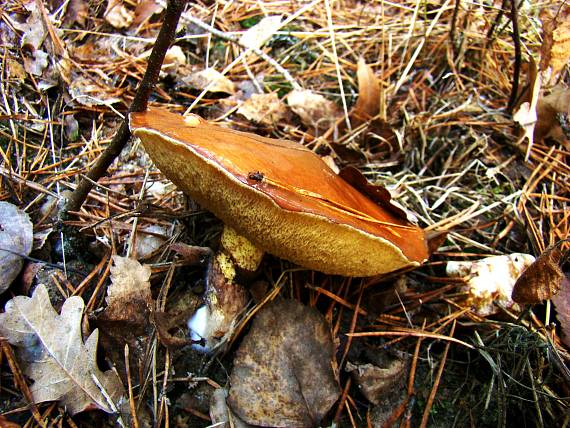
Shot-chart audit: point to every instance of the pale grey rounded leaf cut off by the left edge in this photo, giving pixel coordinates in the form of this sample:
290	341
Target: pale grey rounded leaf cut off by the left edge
16	240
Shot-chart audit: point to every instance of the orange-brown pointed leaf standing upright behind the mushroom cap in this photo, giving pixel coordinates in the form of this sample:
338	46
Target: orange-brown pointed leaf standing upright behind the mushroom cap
368	103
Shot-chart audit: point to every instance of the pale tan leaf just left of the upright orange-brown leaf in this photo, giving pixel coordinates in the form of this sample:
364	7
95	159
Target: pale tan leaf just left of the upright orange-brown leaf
314	110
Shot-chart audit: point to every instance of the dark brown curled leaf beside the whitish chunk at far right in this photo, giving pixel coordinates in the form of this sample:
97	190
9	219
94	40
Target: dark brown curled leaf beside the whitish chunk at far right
542	279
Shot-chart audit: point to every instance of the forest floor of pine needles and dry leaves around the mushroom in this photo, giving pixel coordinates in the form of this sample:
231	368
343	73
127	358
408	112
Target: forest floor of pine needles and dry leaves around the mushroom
422	97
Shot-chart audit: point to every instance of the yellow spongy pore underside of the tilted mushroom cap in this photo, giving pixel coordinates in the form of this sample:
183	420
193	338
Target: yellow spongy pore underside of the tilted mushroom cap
306	239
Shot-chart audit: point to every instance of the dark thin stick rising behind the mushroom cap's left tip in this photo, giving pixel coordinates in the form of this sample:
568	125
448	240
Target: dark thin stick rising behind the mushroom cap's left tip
163	41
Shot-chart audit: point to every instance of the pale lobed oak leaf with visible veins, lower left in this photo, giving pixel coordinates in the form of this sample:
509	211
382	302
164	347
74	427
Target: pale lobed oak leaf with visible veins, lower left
52	353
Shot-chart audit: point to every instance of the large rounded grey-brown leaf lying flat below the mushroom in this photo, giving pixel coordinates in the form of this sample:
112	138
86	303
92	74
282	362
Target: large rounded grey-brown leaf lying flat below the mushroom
283	372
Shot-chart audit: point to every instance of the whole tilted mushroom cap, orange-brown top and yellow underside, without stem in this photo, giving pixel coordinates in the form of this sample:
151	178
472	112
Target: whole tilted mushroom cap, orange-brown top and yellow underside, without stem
280	195
